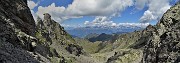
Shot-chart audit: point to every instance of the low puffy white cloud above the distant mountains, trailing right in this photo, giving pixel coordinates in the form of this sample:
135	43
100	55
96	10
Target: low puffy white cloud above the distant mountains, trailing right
103	21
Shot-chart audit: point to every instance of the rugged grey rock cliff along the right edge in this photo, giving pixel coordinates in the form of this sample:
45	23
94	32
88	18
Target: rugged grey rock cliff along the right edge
163	44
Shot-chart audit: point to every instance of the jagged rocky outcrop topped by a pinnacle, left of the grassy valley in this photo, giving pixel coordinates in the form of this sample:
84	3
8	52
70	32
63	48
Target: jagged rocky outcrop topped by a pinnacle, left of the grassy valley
54	41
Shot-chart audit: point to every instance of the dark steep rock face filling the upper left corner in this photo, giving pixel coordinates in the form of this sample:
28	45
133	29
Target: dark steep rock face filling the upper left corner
18	14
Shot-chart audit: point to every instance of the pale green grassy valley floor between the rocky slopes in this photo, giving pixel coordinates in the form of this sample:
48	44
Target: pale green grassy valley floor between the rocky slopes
101	52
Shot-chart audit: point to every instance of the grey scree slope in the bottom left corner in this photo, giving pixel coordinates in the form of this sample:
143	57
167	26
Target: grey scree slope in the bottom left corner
11	54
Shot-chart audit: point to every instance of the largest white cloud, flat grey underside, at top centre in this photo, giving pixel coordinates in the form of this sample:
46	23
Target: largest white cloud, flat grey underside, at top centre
97	7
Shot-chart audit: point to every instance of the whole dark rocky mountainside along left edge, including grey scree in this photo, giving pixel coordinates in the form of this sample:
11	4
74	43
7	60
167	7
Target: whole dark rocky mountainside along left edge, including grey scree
17	28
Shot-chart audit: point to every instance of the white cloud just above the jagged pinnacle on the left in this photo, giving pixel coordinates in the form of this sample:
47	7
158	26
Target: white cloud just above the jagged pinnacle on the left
56	12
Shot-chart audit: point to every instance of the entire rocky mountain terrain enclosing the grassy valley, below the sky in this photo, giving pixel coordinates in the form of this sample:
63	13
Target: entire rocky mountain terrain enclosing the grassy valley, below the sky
24	41
